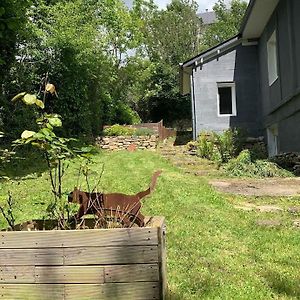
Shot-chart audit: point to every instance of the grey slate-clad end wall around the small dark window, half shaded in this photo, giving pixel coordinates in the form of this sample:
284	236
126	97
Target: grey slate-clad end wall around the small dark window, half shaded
239	66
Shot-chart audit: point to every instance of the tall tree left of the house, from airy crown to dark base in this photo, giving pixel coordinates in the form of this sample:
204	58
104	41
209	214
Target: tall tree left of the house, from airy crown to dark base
171	36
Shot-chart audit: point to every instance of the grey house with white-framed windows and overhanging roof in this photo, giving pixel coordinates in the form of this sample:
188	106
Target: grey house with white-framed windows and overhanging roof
252	80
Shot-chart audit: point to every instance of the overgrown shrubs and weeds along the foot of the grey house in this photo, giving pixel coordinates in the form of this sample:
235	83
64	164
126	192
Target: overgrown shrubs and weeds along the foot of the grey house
227	149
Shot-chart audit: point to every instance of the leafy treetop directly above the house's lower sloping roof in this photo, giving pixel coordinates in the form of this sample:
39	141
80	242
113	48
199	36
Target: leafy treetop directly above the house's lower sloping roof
228	22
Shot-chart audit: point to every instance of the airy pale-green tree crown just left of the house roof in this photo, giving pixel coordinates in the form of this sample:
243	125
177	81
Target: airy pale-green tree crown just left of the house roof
174	35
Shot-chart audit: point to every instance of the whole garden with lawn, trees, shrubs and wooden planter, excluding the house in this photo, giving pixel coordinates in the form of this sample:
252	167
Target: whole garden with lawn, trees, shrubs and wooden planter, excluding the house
69	69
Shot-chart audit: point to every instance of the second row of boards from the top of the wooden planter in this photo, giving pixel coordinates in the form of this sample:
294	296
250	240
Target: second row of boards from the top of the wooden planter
79	256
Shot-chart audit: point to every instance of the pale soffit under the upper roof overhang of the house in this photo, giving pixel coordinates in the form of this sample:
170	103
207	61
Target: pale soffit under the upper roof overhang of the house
260	14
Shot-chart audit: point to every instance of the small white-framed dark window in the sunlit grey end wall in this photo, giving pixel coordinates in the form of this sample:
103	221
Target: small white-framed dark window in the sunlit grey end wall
226	99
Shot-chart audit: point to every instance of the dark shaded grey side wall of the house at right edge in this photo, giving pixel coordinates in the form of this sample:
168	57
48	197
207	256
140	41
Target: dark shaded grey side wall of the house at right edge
281	100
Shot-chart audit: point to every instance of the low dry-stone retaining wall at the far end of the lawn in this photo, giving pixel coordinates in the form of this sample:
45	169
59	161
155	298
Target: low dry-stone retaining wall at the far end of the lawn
125	142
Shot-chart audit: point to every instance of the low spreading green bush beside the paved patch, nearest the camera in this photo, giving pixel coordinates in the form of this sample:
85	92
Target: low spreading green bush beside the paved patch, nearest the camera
244	166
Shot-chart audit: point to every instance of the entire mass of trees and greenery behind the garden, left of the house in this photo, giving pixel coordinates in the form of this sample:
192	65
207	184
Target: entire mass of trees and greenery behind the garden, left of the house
110	63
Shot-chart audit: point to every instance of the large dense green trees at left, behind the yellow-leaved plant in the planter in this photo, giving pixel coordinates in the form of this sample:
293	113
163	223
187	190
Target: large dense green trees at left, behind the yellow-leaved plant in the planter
75	43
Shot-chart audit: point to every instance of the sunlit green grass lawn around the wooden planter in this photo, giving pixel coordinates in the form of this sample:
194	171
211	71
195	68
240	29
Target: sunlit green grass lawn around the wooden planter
214	250
